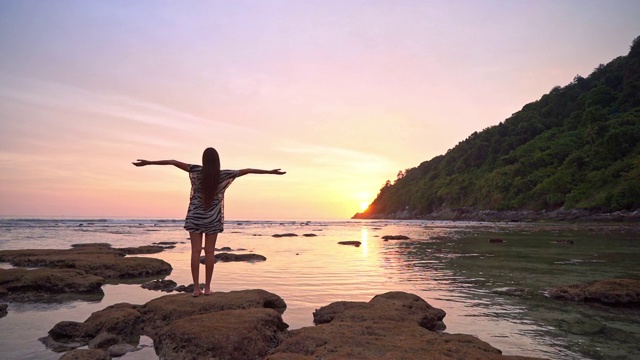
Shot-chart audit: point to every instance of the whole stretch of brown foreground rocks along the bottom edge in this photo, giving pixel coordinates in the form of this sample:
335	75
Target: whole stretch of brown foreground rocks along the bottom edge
248	324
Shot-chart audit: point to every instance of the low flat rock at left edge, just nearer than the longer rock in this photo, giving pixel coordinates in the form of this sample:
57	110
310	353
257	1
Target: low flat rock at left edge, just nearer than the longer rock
39	284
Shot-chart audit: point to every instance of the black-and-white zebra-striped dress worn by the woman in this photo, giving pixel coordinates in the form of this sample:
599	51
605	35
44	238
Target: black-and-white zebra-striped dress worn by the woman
211	220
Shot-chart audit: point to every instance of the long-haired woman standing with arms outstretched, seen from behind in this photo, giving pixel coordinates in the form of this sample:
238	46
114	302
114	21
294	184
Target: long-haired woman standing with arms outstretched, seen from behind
206	208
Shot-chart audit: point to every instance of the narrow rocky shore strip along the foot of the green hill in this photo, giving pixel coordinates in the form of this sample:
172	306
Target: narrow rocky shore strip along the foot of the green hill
467	214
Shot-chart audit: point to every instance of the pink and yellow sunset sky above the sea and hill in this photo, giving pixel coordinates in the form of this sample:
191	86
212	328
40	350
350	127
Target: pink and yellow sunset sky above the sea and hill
340	94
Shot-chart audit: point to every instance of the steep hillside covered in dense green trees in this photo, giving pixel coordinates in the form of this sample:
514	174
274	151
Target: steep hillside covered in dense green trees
578	147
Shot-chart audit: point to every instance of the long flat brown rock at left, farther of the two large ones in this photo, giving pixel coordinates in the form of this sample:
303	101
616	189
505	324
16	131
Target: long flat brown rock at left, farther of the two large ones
94	259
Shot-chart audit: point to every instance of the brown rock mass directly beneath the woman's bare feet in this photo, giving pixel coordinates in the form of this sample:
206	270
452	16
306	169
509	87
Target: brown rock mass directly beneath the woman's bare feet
234	325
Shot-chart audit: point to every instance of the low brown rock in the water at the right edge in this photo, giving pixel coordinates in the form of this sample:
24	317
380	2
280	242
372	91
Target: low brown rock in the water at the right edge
613	292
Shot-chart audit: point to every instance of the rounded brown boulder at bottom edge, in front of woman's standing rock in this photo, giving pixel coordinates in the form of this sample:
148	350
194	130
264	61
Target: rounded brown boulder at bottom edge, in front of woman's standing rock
229	334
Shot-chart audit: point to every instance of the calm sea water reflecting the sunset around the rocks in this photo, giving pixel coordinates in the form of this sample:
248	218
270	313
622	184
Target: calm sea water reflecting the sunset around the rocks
452	265
